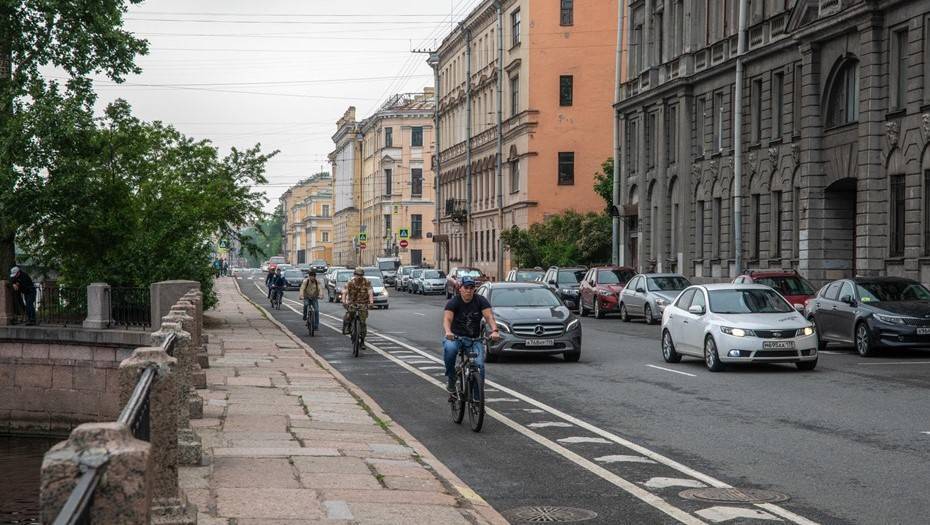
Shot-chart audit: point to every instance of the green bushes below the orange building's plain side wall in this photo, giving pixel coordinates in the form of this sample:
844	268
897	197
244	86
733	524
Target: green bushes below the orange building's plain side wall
561	240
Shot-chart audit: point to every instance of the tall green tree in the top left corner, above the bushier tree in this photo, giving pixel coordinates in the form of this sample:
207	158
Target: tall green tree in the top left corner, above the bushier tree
40	39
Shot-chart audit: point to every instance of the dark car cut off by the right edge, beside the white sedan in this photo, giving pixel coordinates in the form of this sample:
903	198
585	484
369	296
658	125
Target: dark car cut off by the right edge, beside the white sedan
872	313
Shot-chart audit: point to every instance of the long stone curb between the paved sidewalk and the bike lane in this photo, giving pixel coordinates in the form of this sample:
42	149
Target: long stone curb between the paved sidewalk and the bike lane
478	505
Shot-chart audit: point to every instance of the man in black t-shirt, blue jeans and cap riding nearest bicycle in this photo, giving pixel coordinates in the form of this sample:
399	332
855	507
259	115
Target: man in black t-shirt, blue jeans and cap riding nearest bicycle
462	318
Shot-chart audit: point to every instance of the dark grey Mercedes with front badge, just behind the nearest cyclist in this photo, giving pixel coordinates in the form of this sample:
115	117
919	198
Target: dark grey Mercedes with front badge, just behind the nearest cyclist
531	320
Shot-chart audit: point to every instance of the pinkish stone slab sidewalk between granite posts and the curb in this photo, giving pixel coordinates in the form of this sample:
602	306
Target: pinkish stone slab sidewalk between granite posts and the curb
288	440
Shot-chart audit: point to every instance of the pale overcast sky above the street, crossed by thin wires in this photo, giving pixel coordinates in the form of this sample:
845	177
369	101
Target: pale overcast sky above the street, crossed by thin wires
279	72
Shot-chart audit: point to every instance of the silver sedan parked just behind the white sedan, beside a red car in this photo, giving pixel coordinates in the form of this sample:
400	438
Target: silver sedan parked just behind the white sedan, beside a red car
648	294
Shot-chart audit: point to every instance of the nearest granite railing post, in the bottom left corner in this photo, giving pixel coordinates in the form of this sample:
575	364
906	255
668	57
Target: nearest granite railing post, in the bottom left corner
124	495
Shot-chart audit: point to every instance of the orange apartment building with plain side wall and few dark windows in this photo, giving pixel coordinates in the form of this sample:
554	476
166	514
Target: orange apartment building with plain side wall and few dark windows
555	78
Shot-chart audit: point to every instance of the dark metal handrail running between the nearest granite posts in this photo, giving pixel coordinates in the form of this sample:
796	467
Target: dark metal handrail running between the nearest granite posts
136	416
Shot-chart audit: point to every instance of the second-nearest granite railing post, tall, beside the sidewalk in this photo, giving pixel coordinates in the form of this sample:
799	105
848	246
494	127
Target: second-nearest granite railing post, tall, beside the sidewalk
169	504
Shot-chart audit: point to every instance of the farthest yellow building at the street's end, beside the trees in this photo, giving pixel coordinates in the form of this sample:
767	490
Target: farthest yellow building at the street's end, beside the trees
308	223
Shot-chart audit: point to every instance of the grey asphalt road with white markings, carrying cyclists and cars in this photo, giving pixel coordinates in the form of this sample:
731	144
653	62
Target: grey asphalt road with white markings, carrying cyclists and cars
622	433
